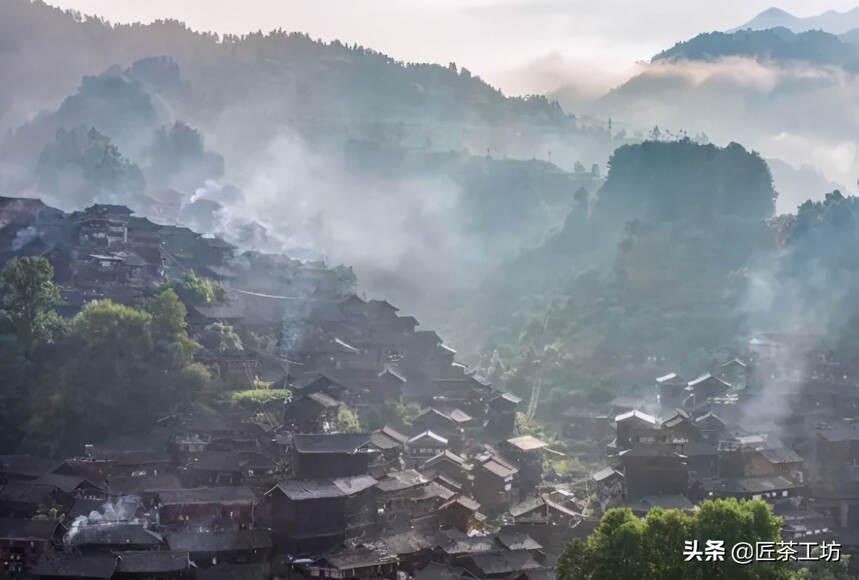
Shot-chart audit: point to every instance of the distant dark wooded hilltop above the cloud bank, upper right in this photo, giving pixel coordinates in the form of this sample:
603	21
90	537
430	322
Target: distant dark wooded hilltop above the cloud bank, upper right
775	44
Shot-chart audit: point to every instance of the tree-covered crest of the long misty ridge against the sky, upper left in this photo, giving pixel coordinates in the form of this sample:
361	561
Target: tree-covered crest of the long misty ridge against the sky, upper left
45	51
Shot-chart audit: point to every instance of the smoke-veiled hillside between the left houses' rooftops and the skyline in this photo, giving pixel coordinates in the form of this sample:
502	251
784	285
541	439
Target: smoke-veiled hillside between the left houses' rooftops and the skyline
228	133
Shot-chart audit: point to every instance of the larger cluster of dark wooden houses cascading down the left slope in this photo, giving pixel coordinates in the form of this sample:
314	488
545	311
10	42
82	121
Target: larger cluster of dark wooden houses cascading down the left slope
277	489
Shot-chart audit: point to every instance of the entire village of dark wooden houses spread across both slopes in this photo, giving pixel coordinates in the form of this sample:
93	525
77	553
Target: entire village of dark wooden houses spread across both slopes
280	490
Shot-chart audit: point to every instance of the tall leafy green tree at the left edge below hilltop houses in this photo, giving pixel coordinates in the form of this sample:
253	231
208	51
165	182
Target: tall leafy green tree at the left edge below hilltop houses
29	298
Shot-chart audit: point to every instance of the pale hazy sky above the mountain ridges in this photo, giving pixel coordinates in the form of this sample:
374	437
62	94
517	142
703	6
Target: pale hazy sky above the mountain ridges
519	45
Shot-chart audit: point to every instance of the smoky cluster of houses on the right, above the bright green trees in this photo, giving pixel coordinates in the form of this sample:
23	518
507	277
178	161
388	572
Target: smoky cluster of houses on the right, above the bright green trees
780	425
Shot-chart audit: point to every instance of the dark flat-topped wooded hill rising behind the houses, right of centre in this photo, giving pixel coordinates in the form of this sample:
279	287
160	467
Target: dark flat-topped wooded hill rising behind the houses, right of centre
654	268
